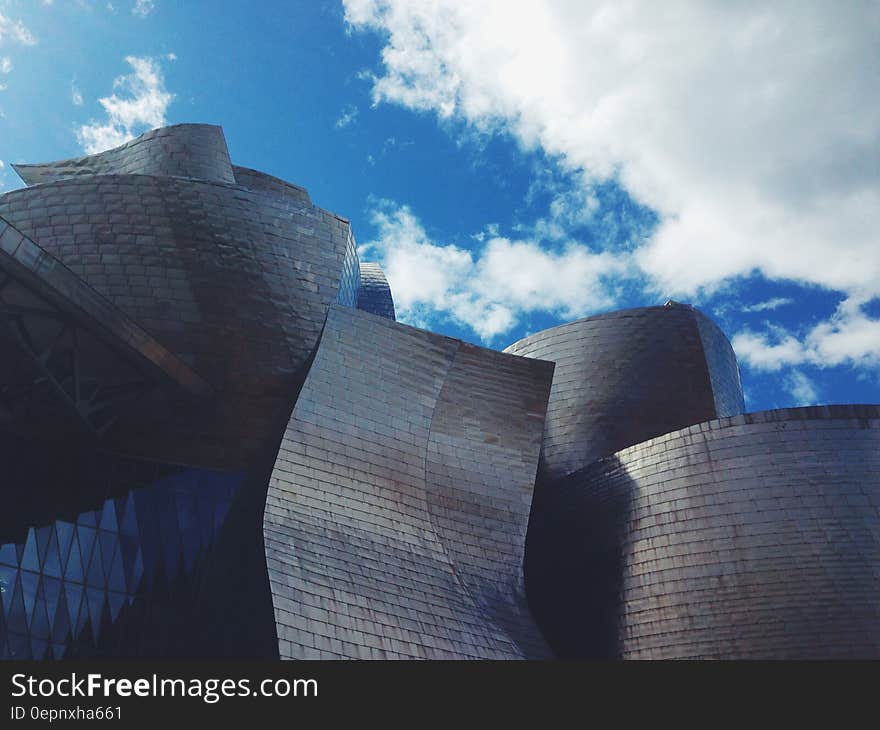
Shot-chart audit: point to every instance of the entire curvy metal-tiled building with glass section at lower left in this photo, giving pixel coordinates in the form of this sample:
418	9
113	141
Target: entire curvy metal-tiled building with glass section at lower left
219	443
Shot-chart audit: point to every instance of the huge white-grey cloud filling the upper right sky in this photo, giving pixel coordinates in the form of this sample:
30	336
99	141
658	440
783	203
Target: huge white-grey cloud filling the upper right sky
753	129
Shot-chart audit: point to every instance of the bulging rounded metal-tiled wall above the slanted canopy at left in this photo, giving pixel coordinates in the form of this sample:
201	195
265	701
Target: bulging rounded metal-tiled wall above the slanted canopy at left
235	282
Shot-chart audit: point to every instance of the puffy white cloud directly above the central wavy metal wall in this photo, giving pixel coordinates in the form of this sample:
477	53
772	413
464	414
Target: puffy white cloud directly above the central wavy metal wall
489	289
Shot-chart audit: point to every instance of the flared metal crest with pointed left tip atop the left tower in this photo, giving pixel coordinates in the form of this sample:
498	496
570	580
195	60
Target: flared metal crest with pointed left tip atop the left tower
183	150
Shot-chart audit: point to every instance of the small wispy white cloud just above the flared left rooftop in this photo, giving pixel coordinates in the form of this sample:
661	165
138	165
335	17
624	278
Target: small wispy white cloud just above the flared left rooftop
142	106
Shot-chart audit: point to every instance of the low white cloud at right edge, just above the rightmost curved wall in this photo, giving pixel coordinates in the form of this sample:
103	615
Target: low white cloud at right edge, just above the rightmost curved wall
849	337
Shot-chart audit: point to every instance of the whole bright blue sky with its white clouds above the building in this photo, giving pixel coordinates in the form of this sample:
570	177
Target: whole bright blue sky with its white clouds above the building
516	165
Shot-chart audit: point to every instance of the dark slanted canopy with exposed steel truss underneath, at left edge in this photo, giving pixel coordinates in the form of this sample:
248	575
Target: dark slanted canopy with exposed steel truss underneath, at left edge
71	361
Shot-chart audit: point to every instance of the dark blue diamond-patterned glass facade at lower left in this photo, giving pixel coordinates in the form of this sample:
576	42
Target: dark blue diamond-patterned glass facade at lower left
69	580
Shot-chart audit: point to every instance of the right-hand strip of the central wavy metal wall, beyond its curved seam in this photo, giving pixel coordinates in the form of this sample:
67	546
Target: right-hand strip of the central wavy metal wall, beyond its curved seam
479	476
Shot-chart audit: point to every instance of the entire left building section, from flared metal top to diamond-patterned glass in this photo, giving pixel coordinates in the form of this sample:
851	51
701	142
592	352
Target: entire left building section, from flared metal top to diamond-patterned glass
151	260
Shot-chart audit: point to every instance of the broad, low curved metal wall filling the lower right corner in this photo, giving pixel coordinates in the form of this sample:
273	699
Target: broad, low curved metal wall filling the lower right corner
753	537
